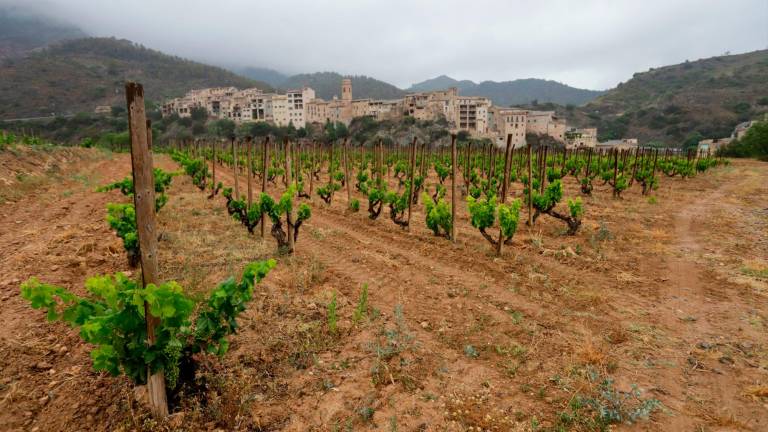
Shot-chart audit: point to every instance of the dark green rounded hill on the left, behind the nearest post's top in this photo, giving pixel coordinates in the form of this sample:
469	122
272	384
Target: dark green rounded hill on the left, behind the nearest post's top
77	75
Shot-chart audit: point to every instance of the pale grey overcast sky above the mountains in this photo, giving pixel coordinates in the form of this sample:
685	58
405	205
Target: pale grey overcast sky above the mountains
591	44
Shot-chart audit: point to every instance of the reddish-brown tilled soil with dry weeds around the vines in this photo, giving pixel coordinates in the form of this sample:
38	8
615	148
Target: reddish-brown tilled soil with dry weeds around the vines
665	295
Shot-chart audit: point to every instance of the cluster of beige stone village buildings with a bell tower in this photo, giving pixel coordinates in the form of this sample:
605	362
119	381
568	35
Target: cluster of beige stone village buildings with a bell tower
473	114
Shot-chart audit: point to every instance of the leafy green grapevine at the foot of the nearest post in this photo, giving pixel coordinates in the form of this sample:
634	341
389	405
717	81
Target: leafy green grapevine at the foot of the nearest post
112	318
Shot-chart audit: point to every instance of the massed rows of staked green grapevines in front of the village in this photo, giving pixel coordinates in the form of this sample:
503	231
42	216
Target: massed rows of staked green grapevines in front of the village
393	178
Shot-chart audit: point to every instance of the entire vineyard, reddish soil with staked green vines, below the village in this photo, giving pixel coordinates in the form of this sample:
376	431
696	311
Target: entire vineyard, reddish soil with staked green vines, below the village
264	283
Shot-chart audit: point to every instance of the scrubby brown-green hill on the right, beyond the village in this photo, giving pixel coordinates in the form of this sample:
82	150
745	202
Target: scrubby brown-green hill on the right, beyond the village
702	98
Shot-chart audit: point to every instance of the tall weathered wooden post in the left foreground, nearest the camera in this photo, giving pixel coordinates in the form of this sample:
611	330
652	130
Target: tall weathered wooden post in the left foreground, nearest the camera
144	203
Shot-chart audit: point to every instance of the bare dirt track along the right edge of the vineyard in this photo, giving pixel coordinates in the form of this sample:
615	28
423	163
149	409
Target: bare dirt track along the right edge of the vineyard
710	347
